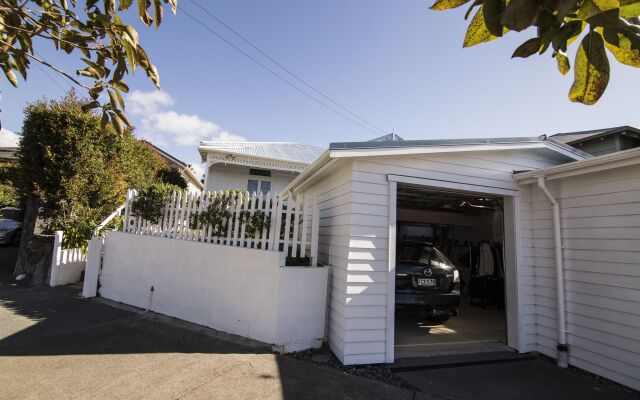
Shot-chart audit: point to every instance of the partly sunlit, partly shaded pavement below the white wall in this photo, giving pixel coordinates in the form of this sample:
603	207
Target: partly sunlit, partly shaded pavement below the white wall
54	345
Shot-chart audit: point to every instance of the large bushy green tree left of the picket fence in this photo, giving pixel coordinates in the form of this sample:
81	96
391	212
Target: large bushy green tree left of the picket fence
76	168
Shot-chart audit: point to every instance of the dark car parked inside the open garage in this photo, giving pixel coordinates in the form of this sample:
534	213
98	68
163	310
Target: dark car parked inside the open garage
426	280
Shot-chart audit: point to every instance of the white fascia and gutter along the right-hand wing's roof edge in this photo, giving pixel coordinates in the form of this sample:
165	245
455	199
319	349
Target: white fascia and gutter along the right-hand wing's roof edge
596	164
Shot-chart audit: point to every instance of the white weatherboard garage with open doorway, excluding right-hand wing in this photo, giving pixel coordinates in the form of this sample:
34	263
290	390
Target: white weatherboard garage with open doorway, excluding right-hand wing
454	194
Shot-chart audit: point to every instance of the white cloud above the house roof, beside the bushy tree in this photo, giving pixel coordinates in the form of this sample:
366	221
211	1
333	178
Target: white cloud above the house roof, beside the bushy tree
164	126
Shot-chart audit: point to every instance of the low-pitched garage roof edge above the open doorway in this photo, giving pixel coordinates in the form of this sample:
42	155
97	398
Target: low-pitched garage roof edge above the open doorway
406	147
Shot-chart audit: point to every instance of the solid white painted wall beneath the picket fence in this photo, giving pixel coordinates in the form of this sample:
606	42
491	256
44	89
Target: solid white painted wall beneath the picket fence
236	290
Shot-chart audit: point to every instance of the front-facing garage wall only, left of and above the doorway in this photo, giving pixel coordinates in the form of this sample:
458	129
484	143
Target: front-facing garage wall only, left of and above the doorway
367	268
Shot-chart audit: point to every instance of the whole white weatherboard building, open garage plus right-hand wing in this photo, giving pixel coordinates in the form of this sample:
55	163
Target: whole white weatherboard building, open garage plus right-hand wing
570	272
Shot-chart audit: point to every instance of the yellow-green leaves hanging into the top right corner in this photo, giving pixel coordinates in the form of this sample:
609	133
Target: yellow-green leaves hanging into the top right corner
613	25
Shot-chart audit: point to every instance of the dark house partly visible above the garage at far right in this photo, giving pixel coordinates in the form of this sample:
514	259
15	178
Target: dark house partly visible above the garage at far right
602	141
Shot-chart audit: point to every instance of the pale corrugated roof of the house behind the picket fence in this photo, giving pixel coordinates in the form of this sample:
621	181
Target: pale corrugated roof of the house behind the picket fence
285	151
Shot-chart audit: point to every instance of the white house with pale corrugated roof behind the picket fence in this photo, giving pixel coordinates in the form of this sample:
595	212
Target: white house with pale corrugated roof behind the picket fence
259	167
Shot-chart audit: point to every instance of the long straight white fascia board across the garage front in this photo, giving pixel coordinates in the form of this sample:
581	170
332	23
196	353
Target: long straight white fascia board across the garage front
399	151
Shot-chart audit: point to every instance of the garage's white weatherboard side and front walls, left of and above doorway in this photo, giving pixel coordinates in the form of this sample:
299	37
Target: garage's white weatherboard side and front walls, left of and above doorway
355	227
